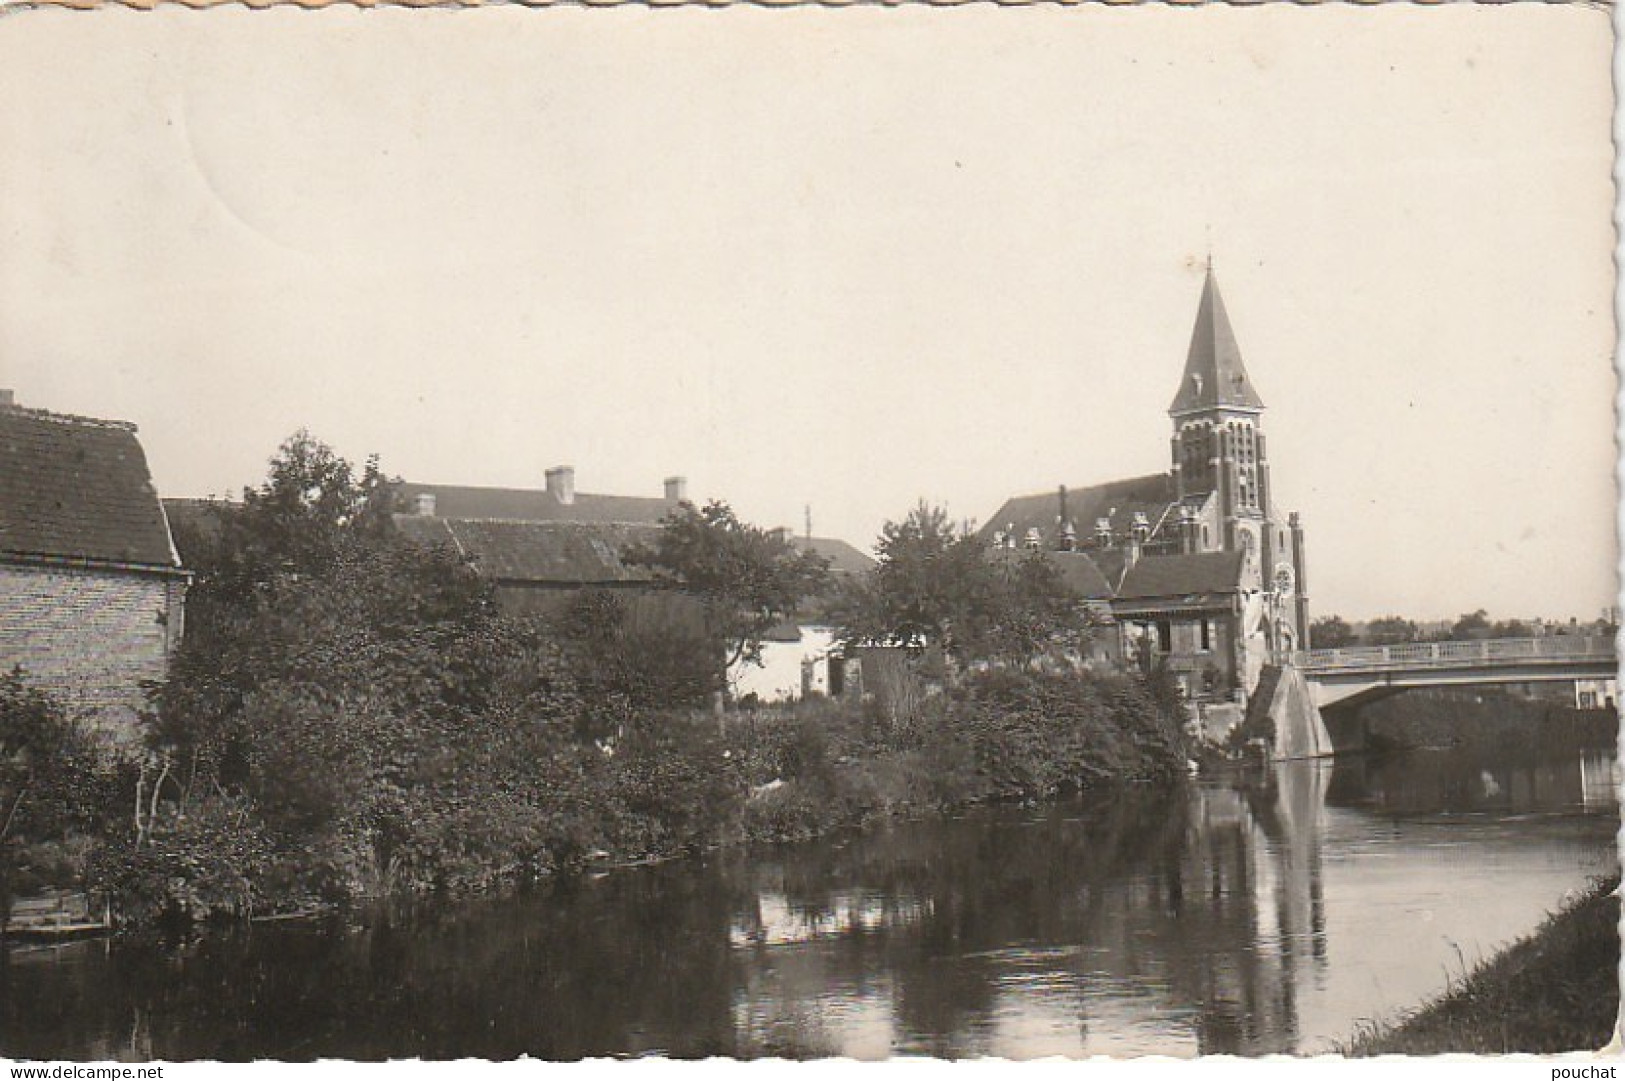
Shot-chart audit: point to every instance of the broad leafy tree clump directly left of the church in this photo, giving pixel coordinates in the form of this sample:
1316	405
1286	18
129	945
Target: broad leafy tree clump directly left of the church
940	586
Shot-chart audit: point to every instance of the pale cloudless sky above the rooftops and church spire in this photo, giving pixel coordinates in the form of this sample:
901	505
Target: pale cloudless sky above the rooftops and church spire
847	258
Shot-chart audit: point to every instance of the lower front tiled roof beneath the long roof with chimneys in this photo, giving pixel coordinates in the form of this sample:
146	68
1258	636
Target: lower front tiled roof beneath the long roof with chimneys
553	554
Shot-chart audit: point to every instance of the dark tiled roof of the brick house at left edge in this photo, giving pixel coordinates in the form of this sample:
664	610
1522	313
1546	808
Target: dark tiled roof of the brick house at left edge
77	488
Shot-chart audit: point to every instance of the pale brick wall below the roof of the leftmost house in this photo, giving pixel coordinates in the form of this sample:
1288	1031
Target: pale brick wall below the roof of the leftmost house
90	636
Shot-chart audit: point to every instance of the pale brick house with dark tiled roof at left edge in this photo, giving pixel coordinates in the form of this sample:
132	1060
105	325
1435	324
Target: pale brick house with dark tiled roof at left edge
92	591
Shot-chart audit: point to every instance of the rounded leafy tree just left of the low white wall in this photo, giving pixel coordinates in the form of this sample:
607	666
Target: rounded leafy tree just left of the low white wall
747	580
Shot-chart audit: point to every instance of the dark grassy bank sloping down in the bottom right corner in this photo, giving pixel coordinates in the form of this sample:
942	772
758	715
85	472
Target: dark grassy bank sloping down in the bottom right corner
1556	991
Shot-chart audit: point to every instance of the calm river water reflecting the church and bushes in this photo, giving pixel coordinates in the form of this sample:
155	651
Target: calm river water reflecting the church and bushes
1244	916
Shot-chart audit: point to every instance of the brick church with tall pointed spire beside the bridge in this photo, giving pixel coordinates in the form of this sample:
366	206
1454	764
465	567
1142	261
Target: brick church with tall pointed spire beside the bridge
1198	568
